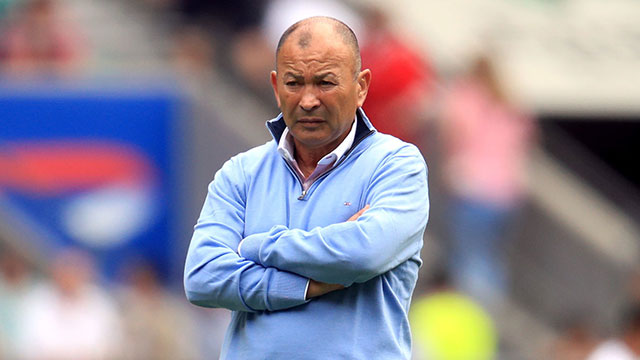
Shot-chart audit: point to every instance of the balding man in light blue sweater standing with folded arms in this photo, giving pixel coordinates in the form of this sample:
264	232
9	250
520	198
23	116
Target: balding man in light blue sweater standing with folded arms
313	239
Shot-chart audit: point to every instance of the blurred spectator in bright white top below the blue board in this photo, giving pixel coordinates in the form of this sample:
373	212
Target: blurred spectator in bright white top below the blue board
70	318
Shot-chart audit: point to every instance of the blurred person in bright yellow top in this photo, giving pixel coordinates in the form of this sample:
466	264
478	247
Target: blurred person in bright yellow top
447	325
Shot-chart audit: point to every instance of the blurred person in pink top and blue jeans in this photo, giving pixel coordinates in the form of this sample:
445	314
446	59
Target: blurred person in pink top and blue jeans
487	140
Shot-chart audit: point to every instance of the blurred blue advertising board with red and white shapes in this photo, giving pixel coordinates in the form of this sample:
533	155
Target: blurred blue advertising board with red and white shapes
93	169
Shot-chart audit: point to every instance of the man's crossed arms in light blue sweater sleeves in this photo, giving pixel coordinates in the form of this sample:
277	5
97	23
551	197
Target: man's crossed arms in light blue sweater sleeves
273	268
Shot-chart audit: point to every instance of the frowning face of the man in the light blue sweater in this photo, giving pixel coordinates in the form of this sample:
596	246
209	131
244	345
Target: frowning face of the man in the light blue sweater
316	88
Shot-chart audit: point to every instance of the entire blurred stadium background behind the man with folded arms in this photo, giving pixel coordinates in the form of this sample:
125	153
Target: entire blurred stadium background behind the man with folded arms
114	116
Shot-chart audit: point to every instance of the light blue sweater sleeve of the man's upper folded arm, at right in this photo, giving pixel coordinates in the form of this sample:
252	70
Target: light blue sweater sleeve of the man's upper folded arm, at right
386	235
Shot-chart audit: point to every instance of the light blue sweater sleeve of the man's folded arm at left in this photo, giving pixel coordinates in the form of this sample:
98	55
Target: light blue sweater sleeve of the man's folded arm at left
215	275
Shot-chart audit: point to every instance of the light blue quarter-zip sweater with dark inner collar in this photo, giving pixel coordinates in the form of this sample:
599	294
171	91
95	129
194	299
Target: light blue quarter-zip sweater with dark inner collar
290	237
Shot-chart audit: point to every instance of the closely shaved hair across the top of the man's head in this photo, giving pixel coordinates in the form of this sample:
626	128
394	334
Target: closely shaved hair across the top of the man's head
303	33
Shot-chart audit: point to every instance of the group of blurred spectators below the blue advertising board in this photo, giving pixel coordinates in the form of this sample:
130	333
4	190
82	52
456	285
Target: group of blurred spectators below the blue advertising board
66	311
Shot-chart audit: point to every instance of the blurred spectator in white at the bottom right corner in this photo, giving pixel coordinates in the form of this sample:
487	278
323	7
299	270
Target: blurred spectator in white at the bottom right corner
626	346
